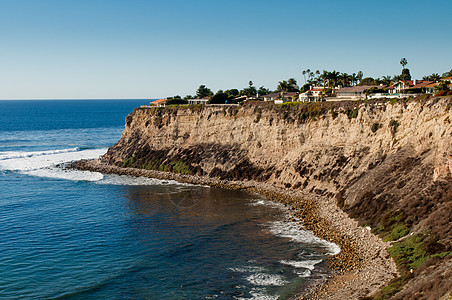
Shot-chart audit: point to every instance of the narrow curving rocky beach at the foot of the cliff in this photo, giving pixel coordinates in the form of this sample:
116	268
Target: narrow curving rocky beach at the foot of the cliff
359	270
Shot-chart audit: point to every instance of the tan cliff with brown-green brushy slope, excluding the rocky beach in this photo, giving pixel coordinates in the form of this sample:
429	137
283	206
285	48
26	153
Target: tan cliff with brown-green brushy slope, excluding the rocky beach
388	165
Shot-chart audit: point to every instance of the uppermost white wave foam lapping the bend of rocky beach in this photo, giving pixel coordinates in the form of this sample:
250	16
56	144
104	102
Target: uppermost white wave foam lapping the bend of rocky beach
293	231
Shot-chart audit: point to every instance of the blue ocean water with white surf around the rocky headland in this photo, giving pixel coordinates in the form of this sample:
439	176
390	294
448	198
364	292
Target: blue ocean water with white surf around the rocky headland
68	234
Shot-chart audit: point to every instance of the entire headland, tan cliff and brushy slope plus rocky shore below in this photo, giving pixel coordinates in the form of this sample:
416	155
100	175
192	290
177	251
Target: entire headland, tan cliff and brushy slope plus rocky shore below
374	177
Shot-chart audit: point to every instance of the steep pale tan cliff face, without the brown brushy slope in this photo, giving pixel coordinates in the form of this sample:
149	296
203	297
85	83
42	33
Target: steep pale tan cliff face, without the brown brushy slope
324	155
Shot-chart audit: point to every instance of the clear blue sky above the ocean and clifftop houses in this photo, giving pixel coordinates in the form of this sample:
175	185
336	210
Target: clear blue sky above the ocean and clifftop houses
150	49
